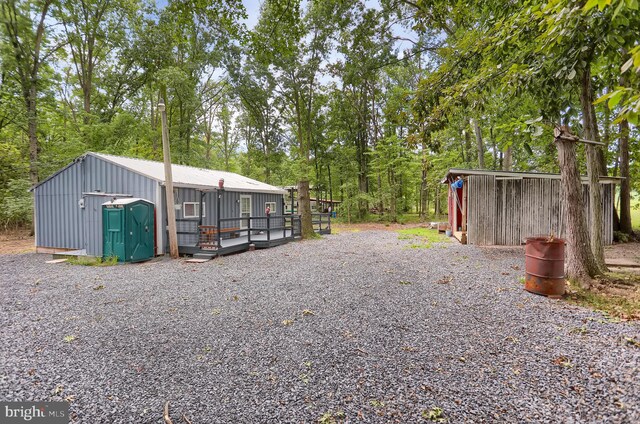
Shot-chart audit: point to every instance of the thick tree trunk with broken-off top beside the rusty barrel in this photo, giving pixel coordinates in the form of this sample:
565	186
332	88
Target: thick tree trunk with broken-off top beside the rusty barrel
581	265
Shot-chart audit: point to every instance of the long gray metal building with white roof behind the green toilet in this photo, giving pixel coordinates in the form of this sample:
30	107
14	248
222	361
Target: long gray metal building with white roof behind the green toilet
68	204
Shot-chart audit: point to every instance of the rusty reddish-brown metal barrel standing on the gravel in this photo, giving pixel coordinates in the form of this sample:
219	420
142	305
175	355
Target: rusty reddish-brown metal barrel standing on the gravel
544	266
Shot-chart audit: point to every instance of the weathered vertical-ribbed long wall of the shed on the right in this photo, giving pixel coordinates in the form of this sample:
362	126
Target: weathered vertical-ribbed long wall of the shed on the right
519	208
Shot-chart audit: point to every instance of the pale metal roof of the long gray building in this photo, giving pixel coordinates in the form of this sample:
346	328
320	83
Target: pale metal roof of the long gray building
183	176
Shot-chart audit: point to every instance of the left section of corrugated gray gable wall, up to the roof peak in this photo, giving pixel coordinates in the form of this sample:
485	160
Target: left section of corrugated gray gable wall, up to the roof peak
57	213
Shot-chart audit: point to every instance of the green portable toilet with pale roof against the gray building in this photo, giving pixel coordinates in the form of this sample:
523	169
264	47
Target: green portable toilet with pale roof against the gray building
128	229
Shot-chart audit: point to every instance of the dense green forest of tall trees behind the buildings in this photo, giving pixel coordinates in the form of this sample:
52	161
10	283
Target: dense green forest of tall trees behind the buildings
366	102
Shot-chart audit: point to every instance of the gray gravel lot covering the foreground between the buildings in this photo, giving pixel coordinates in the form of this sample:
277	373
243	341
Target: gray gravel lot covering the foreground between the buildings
356	327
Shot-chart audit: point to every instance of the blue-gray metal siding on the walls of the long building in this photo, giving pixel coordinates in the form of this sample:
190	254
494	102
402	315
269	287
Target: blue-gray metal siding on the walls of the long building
61	223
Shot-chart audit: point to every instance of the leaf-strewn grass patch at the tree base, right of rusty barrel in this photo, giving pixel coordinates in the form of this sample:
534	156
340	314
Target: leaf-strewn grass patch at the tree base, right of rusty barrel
616	295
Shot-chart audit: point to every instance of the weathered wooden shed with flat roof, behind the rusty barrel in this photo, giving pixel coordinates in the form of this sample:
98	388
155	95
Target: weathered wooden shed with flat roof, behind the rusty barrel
504	208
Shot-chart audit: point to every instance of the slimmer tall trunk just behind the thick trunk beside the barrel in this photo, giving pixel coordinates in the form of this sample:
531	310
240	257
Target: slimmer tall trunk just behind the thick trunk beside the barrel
594	169
